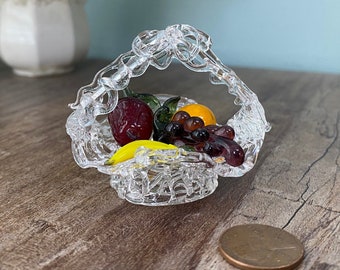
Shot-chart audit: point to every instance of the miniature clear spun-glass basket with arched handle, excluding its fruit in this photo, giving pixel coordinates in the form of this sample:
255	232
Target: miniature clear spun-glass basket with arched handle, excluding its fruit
162	177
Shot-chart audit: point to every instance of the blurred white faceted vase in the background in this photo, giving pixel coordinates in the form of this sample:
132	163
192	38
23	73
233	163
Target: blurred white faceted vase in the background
43	37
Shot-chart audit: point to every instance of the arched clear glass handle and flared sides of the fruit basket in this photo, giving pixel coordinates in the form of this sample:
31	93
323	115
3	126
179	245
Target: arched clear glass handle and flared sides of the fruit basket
192	48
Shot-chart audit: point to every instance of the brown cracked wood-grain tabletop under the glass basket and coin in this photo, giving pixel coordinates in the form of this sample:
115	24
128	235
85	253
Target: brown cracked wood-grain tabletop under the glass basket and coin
55	215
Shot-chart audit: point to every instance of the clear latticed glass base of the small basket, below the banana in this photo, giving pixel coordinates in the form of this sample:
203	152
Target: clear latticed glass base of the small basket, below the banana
164	185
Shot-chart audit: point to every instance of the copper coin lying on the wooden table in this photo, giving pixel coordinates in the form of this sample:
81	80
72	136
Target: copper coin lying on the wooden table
256	246
